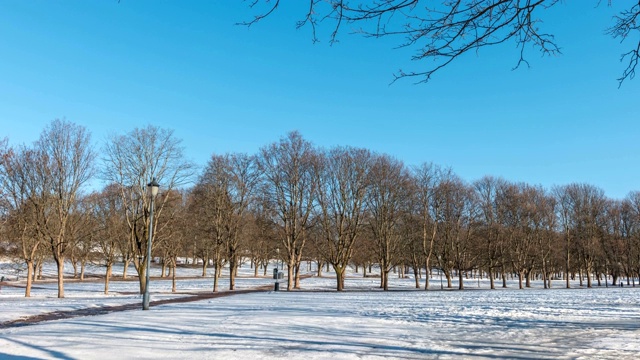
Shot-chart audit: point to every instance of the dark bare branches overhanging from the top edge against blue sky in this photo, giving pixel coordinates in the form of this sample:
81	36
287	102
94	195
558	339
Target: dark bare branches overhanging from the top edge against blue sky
440	32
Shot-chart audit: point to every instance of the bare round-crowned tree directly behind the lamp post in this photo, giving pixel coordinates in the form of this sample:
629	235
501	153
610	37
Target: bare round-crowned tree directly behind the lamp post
131	161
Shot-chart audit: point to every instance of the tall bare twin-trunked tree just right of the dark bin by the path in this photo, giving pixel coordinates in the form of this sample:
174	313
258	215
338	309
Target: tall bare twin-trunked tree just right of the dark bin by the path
289	174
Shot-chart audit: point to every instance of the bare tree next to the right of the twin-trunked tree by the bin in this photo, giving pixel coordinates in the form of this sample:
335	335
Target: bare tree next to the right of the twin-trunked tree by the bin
343	182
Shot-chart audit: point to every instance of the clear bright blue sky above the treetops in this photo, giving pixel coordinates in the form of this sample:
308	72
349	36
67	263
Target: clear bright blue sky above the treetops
186	66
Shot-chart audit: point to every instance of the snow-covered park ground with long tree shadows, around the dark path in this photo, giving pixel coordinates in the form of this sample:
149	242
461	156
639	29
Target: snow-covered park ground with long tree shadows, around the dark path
362	322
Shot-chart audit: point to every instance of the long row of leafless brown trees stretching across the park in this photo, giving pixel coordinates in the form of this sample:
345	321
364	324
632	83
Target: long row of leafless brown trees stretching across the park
341	207
